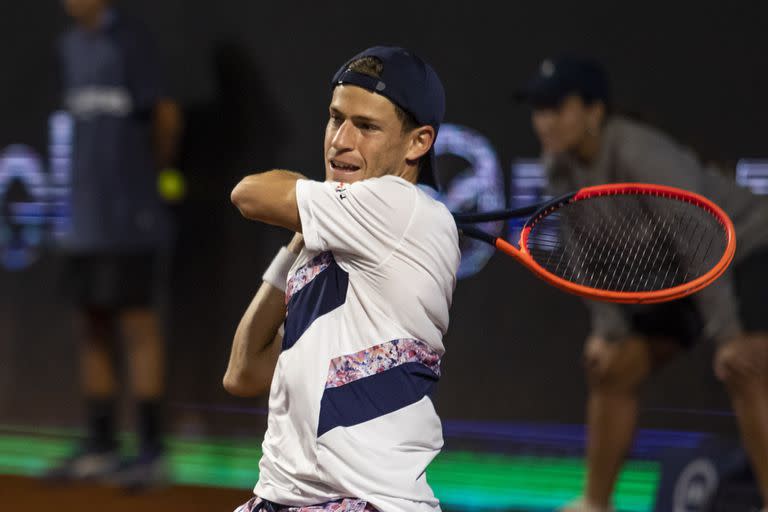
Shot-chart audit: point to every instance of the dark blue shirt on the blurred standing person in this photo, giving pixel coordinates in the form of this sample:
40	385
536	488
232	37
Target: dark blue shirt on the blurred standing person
111	85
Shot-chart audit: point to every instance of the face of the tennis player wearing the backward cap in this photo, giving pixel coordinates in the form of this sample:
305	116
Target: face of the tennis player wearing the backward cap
364	137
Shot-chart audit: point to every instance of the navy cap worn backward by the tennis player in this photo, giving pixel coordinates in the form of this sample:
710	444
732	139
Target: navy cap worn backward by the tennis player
408	82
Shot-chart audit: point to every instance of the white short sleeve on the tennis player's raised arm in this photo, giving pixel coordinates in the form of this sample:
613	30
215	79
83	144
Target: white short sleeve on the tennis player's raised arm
361	223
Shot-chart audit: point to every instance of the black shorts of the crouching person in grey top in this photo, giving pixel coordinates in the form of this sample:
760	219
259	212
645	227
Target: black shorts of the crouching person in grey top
682	321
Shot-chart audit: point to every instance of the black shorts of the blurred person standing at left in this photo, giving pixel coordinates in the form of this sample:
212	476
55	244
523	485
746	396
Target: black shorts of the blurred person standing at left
112	280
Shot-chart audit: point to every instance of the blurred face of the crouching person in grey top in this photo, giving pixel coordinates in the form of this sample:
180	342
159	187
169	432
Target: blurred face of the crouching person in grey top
563	128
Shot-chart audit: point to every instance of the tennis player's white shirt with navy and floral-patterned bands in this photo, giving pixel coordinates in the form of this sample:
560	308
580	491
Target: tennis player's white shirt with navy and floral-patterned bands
350	413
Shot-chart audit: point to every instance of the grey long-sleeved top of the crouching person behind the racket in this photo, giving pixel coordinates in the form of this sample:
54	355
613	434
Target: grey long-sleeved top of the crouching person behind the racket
634	152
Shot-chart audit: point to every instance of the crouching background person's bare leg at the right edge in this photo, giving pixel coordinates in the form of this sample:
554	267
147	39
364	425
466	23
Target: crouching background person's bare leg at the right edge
742	365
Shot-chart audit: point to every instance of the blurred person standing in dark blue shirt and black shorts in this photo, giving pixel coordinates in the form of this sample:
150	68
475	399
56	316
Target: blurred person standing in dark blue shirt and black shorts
126	130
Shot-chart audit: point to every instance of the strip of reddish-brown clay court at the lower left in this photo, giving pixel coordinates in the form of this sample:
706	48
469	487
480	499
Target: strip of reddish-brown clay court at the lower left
21	494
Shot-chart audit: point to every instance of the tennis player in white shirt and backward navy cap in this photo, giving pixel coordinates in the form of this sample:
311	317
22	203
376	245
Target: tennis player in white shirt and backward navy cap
346	329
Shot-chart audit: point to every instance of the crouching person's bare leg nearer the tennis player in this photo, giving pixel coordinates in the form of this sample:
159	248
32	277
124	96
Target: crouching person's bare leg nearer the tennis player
615	372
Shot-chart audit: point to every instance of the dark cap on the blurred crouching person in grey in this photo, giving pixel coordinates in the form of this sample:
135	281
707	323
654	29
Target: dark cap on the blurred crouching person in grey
560	77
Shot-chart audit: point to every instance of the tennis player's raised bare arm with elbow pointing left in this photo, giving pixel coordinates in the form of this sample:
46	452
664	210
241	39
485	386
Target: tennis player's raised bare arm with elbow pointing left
269	197
